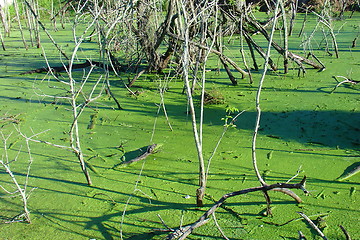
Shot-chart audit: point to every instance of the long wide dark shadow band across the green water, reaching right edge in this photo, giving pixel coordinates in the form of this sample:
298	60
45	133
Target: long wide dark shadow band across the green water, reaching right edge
329	128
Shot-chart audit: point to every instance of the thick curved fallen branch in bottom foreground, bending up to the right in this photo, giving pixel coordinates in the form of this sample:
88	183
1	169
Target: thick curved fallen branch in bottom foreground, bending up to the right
186	231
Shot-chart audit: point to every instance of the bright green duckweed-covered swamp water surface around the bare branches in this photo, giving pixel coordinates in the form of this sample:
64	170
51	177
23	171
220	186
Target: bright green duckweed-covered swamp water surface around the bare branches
302	125
